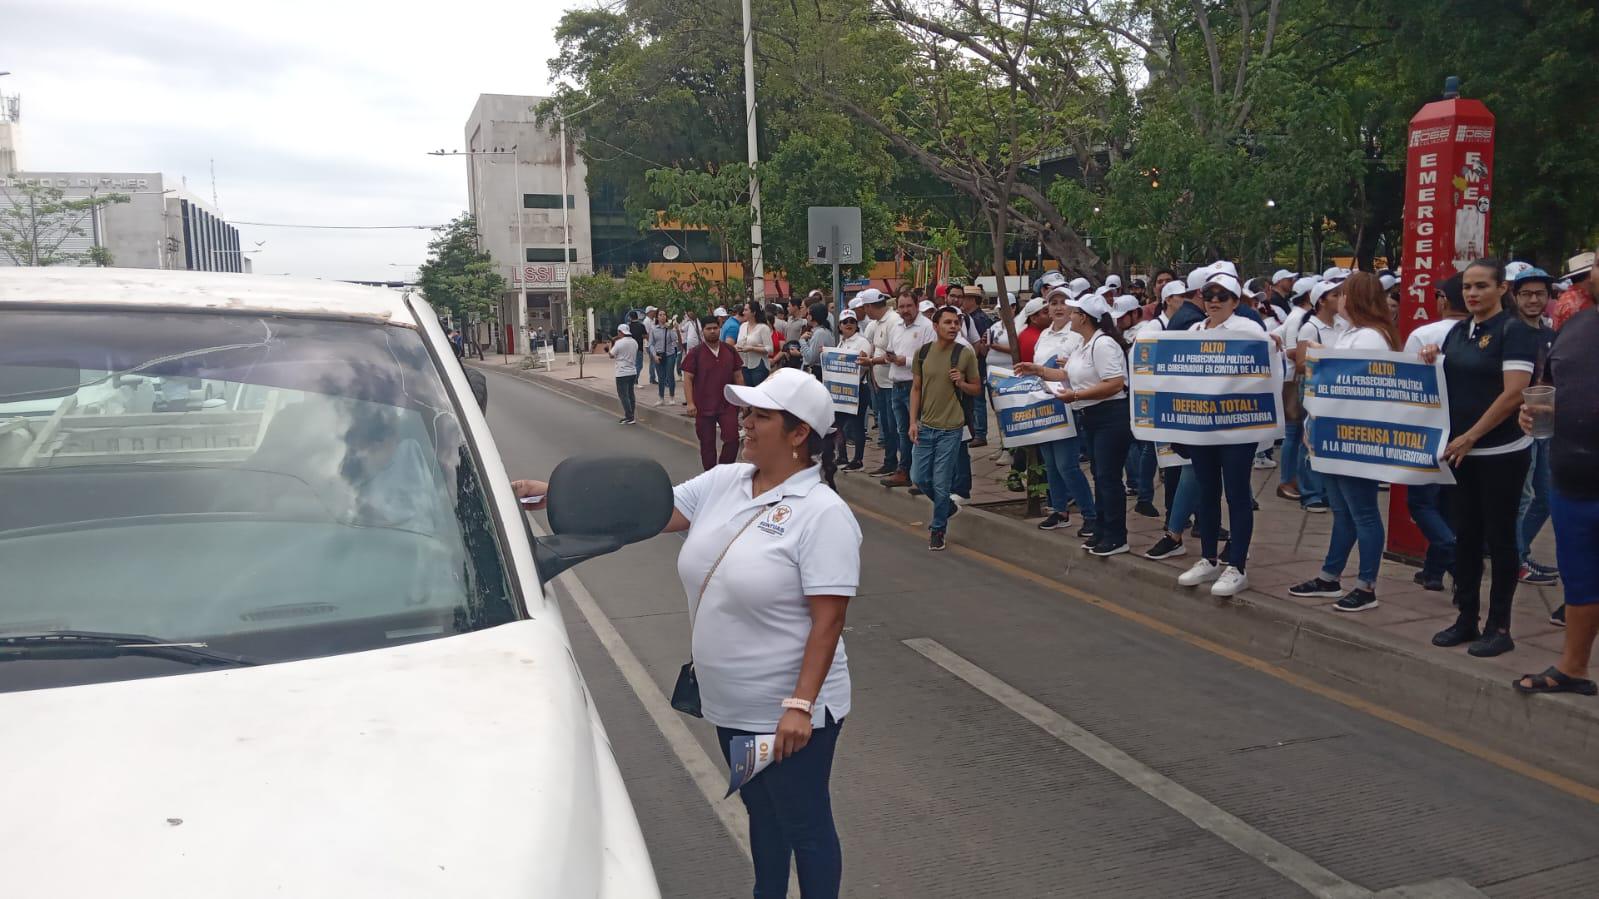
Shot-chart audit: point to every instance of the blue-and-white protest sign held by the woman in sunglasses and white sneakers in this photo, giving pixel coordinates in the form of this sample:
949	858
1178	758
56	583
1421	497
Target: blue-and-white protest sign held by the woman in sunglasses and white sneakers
1206	388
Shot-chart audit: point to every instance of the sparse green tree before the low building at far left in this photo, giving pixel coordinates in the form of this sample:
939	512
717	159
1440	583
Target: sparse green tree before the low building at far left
38	222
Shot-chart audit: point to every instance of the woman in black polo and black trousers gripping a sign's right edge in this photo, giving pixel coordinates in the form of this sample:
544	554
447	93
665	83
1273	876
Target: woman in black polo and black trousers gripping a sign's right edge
1488	362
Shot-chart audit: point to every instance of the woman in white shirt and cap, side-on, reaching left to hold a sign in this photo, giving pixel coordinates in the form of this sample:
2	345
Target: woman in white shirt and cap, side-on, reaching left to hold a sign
1096	375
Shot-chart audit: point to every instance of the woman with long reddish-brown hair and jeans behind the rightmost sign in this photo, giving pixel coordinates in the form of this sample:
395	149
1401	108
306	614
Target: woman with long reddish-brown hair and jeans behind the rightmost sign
1355	513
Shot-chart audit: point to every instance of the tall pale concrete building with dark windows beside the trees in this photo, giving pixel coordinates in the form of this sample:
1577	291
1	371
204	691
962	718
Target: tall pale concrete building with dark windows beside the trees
517	199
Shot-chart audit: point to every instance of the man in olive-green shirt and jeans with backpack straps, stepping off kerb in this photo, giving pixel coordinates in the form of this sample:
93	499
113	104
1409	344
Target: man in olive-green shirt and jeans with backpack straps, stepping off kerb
944	374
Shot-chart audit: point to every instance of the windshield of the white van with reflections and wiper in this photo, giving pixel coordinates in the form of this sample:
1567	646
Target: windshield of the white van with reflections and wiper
271	489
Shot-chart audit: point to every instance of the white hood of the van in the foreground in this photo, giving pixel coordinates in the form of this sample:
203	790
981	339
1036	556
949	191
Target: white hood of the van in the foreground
457	767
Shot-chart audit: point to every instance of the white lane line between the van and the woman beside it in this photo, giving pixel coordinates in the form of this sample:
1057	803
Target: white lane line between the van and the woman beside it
706	773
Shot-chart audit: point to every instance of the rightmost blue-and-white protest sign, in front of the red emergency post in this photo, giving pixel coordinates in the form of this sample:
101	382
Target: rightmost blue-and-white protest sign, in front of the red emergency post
1378	415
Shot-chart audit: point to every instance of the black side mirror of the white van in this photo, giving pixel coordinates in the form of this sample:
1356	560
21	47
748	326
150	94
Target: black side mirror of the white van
600	505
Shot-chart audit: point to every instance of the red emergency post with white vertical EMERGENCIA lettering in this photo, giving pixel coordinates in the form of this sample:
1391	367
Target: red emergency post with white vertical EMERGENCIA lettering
1449	198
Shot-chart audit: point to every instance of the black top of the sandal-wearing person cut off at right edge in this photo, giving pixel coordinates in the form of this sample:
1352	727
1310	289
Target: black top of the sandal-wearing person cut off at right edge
1574	370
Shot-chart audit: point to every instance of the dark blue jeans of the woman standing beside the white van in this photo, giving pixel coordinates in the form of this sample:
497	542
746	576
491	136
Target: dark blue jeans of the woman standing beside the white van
792	815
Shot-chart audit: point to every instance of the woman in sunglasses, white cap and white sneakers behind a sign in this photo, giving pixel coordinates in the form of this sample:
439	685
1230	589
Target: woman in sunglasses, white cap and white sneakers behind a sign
1224	468
